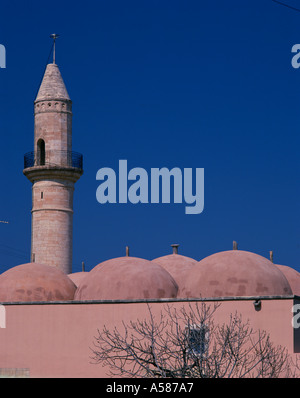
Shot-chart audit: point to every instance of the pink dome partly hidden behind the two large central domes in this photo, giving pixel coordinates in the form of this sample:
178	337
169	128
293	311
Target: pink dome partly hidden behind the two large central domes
178	267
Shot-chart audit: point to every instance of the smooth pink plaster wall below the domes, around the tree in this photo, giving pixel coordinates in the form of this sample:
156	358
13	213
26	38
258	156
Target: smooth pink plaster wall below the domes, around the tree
53	340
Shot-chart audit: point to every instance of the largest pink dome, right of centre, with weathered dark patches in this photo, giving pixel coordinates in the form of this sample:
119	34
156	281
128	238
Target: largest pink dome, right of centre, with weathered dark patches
235	273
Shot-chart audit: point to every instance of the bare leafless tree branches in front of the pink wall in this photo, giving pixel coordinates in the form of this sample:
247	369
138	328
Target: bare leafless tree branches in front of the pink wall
185	343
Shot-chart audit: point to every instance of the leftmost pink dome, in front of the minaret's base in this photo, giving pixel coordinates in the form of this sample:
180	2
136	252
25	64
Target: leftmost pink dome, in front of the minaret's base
35	282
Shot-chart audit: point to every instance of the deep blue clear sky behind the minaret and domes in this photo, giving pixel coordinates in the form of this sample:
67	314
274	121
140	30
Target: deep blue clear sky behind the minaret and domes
161	84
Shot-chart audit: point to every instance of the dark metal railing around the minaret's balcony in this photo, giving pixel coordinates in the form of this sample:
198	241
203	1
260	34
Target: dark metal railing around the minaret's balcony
53	158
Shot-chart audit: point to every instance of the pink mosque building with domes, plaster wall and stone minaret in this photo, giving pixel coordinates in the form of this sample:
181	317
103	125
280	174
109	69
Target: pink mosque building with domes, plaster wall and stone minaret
52	314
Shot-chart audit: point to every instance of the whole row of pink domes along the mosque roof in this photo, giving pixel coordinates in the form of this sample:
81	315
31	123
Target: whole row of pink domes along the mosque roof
233	273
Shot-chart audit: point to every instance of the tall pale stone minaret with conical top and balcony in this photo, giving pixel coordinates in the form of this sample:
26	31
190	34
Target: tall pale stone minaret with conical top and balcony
53	170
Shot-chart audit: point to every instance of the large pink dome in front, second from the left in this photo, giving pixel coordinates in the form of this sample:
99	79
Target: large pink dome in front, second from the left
126	278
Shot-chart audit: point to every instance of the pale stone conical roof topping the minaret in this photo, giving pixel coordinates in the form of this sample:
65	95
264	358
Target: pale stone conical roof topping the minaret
52	86
